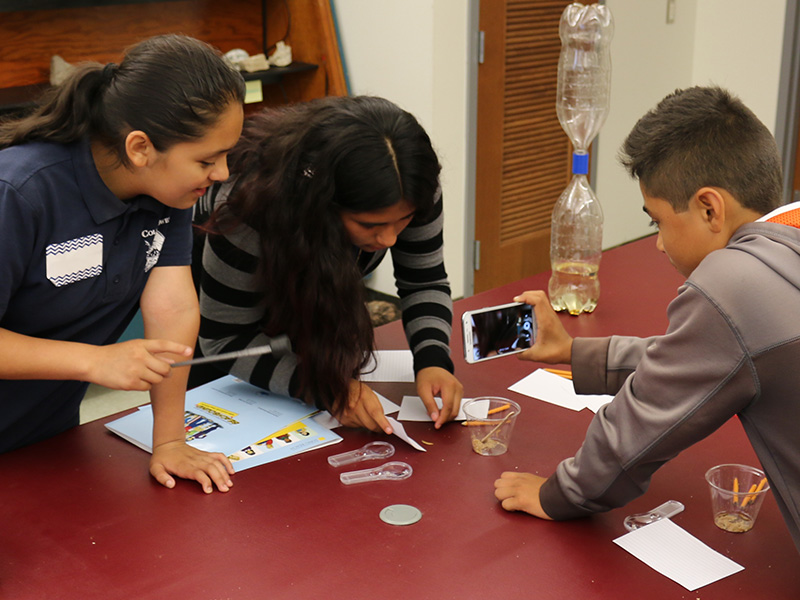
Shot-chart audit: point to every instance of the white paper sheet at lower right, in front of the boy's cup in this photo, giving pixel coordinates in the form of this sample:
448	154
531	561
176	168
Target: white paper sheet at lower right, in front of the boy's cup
675	553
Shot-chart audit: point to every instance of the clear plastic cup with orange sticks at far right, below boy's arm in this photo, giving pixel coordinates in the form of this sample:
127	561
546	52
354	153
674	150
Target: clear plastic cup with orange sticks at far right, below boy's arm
737	492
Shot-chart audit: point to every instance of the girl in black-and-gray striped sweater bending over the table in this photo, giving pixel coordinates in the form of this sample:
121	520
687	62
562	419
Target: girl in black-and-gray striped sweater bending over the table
319	192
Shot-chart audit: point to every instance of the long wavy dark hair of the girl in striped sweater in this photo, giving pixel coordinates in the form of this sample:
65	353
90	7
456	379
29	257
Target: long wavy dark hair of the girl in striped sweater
298	169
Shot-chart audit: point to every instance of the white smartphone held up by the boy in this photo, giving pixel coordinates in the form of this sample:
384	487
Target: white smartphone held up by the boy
497	331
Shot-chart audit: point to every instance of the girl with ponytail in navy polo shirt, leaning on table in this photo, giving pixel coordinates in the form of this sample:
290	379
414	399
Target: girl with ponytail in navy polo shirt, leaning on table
96	190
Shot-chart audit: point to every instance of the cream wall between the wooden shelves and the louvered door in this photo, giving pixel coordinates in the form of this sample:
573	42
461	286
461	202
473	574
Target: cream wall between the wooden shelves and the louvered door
414	53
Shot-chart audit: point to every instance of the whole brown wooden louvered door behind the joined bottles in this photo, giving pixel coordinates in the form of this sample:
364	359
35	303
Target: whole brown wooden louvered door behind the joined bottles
523	155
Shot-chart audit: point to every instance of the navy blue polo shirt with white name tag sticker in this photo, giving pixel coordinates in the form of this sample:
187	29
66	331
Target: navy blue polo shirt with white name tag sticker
74	260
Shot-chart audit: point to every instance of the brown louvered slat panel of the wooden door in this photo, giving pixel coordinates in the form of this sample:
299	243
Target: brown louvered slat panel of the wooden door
535	148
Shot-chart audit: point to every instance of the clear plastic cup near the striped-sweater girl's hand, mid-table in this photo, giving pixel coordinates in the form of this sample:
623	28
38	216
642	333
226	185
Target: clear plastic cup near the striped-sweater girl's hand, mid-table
490	420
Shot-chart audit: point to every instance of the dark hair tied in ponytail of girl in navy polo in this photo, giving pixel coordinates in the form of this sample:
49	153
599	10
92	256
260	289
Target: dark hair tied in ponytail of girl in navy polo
172	87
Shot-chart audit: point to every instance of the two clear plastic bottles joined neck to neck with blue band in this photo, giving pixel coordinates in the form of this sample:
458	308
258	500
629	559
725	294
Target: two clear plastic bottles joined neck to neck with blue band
582	102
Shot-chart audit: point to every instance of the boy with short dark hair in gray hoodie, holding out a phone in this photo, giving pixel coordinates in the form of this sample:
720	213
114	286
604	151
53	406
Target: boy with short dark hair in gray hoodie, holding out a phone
710	176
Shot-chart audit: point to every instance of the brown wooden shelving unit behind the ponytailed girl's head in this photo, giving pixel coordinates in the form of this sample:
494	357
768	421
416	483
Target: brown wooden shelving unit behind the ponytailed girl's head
101	33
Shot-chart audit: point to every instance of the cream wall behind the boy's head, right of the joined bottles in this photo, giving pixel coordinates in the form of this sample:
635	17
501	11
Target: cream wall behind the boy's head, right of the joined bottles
736	44
